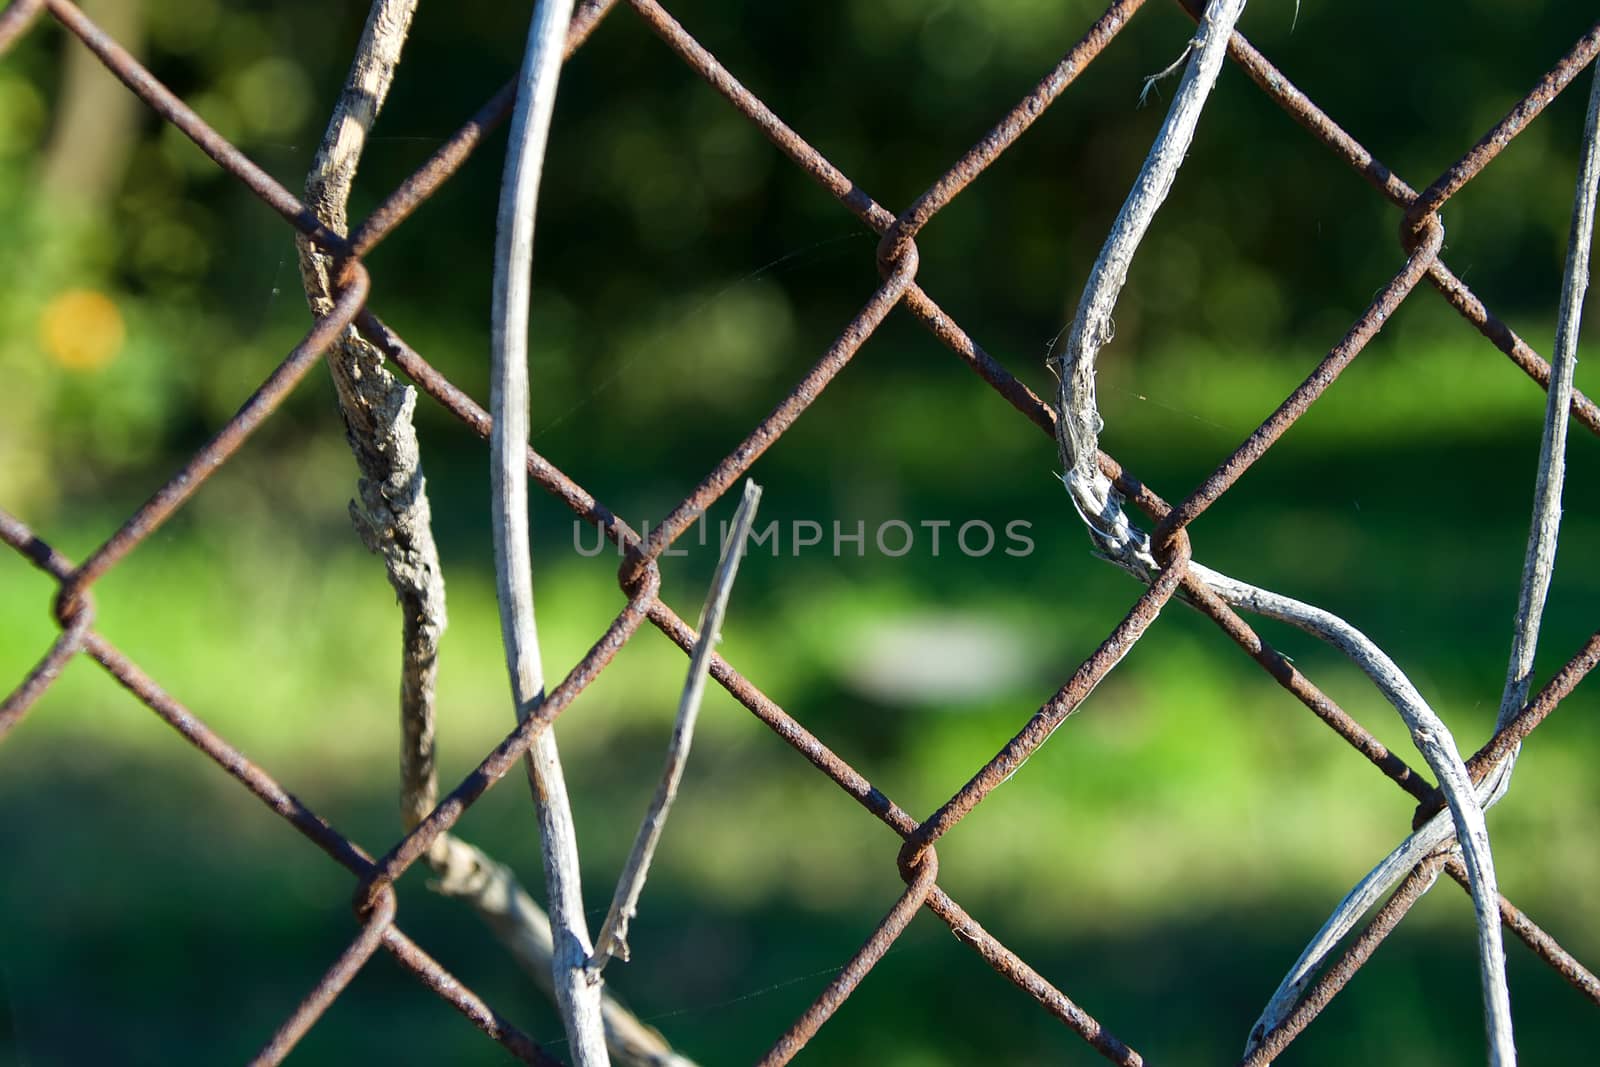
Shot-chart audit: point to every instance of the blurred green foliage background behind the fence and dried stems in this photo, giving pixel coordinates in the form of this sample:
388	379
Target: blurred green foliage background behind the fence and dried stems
1162	860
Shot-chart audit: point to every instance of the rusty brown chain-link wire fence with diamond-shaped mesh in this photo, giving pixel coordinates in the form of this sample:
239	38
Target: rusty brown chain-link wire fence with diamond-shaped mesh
897	260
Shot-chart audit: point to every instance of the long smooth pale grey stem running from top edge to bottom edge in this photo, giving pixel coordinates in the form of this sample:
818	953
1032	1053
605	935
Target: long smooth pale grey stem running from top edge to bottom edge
577	991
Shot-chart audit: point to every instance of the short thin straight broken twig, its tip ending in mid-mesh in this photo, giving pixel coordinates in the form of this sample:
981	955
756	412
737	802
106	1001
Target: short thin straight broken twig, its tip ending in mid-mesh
625	905
